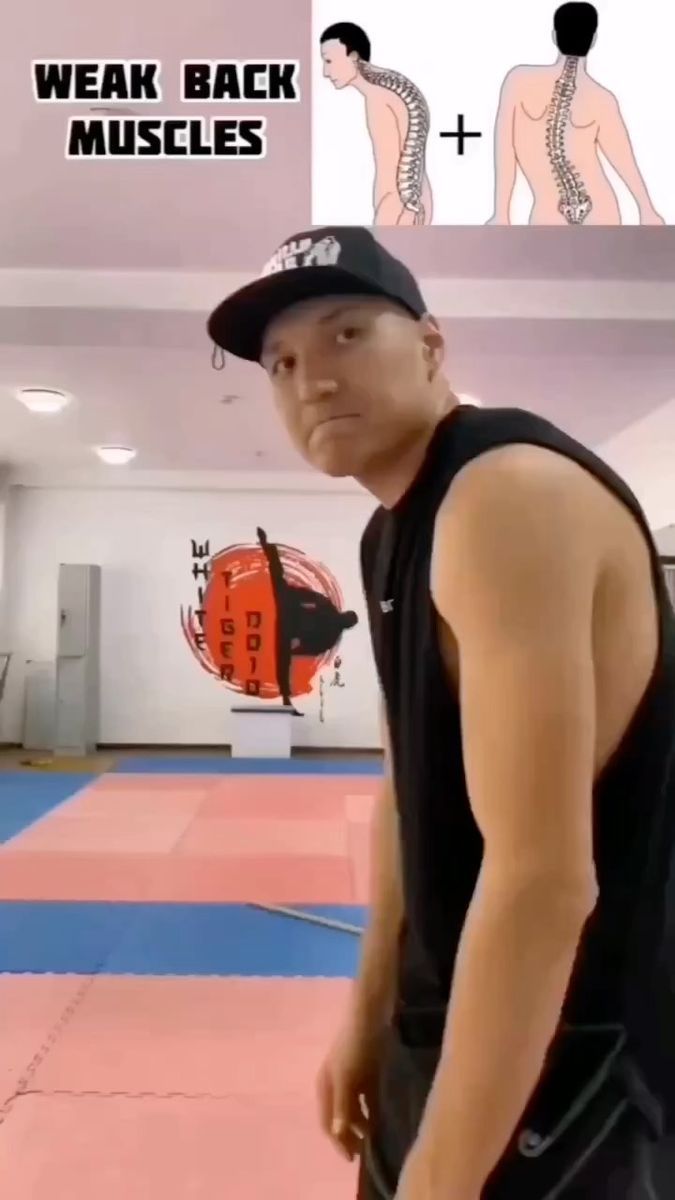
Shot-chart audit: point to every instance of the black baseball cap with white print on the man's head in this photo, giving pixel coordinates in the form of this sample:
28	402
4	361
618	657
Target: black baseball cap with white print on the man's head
332	261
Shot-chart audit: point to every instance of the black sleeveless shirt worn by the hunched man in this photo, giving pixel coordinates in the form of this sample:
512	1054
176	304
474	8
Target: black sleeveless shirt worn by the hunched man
624	973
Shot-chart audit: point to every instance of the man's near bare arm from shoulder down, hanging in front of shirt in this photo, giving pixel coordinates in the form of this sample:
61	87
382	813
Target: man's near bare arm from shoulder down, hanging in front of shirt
522	610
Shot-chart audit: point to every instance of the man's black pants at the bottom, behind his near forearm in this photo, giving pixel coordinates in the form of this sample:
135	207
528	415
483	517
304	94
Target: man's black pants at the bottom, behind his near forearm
608	1151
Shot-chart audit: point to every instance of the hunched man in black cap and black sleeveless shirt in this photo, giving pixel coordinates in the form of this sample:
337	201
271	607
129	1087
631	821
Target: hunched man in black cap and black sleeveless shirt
511	1034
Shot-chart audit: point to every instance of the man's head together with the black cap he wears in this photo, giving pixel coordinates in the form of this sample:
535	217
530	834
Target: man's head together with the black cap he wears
354	358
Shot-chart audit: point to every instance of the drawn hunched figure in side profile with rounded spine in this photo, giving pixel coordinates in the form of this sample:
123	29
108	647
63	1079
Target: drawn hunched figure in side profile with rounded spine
398	123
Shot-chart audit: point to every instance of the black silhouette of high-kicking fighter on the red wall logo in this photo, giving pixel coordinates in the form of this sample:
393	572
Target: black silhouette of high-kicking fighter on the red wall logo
308	623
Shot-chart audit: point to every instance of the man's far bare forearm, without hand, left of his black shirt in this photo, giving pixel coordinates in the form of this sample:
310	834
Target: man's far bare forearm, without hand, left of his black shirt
374	991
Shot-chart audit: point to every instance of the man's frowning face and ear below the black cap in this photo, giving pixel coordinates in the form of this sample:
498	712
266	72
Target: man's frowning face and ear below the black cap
350	379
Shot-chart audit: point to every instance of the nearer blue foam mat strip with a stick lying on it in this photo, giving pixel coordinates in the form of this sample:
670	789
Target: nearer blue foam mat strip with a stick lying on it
174	940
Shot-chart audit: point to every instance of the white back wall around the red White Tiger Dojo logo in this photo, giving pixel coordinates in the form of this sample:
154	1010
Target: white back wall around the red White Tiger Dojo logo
153	689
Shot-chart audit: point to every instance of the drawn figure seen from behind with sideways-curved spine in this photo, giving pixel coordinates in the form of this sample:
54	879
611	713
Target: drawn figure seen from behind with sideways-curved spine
552	122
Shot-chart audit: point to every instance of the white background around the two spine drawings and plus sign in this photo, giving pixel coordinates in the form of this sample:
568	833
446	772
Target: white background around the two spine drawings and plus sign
459	56
